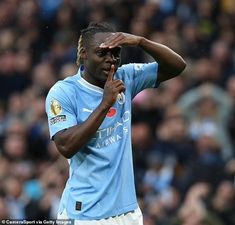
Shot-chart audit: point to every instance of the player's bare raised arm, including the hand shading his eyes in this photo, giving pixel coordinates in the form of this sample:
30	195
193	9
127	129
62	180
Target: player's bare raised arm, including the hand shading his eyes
170	63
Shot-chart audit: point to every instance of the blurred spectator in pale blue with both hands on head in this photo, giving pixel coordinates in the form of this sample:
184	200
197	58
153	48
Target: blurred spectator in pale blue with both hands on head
207	109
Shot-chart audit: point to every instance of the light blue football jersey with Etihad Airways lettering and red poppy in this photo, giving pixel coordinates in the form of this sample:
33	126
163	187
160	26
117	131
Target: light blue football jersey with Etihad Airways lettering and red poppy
101	179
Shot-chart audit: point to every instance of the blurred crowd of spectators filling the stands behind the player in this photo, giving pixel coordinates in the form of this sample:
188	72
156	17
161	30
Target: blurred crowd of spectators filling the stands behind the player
183	132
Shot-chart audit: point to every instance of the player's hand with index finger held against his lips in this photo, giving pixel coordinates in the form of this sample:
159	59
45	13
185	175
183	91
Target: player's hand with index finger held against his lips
112	88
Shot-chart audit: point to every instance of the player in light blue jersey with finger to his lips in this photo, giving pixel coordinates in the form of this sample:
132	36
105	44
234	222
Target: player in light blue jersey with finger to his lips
89	117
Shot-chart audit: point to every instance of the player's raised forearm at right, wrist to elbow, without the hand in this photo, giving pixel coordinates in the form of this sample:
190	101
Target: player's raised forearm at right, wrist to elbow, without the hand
170	63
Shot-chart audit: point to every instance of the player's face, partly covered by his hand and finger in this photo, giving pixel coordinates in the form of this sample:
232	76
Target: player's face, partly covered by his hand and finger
98	60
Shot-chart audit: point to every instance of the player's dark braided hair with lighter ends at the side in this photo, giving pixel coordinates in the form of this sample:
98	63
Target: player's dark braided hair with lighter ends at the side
88	33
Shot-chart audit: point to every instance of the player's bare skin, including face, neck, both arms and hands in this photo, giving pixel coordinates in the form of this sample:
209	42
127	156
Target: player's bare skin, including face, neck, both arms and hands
101	61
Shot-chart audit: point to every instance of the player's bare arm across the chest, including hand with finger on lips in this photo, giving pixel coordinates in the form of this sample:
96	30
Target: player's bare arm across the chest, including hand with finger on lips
69	141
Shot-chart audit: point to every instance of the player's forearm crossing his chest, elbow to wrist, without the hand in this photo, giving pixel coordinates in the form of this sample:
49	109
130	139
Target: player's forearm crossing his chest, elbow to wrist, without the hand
72	139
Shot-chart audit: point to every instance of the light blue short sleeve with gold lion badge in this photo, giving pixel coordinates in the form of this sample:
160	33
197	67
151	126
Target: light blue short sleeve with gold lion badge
60	110
